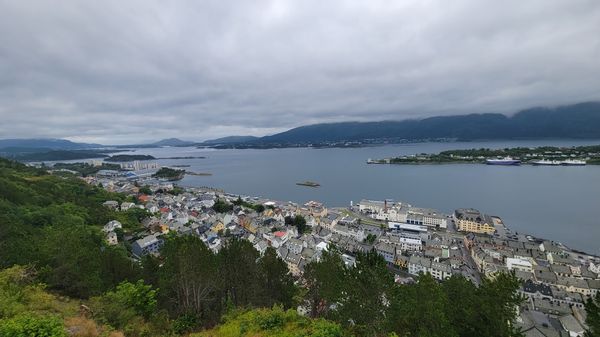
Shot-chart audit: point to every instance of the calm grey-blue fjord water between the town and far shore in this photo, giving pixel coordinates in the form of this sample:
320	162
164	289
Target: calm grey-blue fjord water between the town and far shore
559	203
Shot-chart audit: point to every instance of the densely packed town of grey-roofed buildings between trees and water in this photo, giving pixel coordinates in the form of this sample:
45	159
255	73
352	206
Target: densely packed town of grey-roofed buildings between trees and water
556	280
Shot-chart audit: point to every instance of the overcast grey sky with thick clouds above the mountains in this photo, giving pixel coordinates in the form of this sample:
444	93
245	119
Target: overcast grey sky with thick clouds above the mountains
126	71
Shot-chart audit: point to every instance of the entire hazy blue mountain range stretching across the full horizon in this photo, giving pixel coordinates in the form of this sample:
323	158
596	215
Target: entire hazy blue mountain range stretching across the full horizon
577	121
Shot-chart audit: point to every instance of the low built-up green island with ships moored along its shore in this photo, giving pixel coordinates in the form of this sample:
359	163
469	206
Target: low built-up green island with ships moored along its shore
545	155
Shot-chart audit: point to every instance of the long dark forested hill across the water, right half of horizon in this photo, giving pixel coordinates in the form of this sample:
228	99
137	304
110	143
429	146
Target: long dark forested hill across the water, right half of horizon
572	121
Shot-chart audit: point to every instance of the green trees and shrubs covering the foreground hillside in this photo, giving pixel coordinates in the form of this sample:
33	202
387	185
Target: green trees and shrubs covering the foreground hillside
60	278
